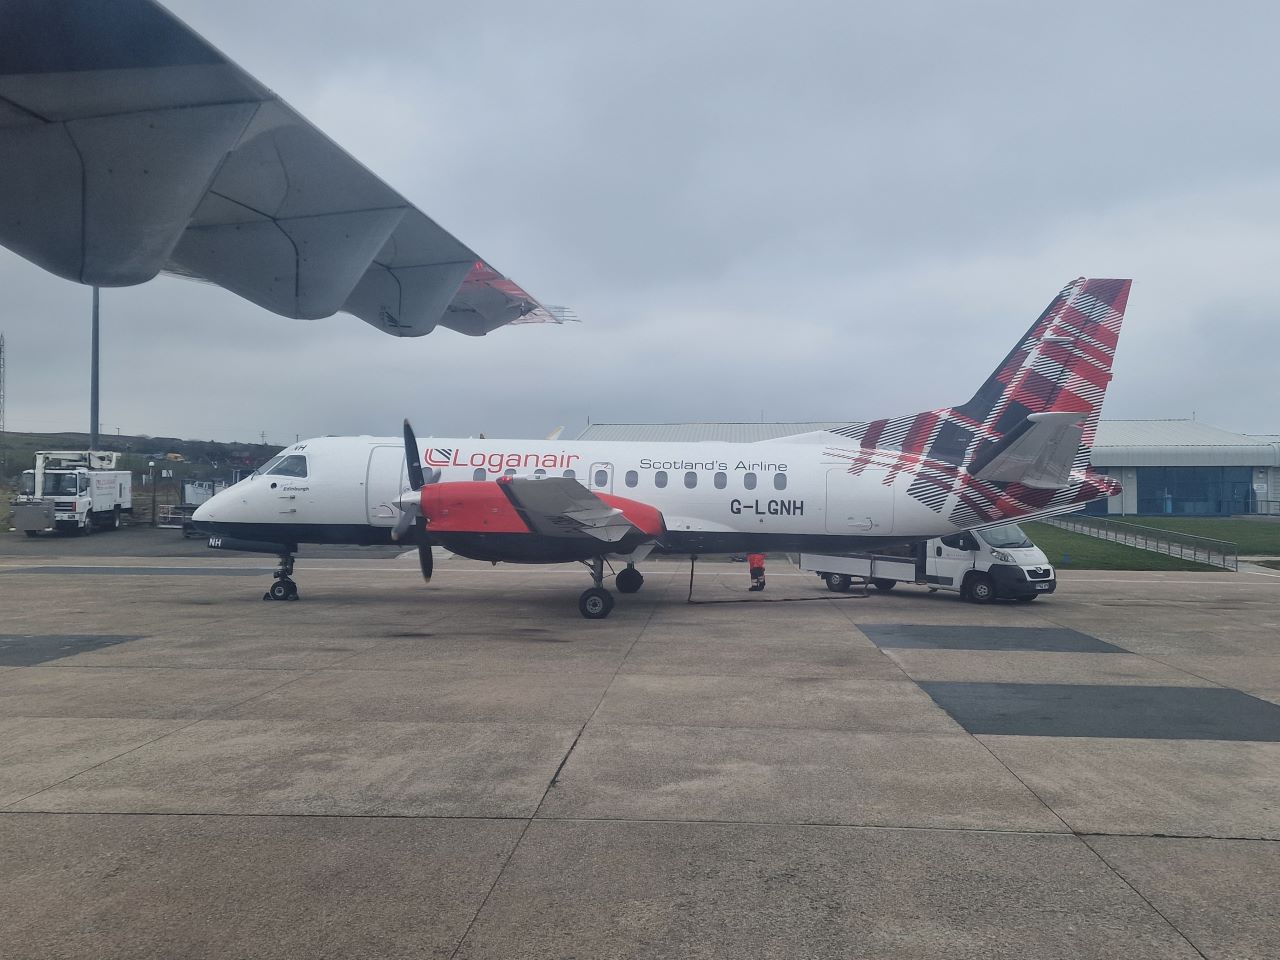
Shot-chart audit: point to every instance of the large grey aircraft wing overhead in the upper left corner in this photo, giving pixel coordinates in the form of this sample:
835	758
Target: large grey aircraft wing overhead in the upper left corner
130	147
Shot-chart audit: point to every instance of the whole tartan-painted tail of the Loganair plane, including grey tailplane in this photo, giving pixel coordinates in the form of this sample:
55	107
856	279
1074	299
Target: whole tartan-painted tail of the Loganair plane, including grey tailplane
1027	436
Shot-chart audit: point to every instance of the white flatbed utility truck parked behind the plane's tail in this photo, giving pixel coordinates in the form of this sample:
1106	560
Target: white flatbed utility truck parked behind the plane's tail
998	563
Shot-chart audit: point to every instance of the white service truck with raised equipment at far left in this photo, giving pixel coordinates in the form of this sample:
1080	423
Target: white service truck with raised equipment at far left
74	492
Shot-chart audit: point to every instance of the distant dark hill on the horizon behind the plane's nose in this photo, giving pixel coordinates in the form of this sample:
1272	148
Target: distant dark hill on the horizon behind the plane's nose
202	460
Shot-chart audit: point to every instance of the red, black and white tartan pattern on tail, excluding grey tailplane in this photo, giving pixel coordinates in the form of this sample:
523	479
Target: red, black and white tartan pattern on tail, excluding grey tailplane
1062	364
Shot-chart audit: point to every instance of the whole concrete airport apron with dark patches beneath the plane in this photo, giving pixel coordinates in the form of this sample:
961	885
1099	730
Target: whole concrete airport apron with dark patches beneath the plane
470	770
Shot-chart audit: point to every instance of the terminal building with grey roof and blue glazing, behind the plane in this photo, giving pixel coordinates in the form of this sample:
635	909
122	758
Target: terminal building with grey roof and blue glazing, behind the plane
1172	468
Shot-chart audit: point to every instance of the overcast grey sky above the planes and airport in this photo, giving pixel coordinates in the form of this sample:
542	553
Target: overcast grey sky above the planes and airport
806	211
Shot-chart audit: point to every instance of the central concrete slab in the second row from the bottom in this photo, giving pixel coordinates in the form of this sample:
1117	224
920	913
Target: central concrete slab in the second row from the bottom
792	776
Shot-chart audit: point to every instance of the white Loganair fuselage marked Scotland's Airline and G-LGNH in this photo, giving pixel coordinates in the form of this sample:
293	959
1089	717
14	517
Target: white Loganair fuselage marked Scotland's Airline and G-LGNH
712	496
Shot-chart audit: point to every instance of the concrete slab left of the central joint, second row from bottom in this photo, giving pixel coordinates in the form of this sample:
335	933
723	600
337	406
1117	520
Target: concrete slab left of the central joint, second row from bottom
331	769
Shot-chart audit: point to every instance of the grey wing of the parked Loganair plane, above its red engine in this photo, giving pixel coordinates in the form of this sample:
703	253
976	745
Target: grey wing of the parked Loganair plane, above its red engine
559	506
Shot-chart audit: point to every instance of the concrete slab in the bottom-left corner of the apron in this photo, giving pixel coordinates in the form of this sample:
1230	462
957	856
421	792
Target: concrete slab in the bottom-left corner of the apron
121	888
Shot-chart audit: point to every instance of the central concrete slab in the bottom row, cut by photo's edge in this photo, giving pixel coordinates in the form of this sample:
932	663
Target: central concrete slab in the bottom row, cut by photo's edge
682	890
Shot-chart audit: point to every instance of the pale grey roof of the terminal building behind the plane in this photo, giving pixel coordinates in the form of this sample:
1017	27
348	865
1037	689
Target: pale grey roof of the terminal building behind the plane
1121	444
